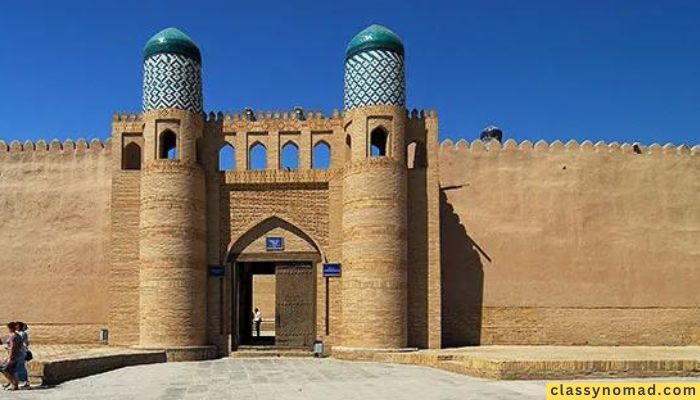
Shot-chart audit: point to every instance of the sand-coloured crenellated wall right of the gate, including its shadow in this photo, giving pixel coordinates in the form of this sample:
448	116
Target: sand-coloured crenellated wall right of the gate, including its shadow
575	244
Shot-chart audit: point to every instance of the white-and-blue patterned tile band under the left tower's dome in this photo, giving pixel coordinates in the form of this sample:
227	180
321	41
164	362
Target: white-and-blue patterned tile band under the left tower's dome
172	81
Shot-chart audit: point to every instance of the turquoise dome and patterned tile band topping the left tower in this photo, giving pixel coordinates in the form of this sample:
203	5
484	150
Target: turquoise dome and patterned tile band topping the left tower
172	72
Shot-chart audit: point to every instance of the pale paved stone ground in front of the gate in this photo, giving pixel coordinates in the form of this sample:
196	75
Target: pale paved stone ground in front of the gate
287	379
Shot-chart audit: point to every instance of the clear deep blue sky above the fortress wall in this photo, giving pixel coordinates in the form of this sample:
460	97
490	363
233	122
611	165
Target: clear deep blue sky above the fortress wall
599	70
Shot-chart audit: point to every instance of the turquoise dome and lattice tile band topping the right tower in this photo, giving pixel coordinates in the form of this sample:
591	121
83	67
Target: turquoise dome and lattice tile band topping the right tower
374	69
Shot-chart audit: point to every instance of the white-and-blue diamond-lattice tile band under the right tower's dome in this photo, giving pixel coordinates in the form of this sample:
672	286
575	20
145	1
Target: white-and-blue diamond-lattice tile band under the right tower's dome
375	77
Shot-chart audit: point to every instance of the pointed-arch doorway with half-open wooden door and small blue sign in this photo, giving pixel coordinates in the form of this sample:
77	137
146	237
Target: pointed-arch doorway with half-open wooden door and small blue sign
274	266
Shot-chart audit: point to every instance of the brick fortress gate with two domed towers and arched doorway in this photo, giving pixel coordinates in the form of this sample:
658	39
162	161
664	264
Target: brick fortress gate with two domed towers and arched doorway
188	238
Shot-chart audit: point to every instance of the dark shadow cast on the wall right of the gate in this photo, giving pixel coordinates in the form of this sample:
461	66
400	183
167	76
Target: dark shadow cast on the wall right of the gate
462	274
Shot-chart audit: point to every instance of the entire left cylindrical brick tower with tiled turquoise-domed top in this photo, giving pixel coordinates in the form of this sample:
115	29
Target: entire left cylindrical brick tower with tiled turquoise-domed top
172	220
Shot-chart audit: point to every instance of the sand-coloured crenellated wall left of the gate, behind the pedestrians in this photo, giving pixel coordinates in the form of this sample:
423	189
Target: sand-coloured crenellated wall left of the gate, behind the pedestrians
54	230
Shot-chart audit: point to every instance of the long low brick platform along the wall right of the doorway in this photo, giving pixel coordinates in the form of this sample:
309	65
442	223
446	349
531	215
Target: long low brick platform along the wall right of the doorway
546	362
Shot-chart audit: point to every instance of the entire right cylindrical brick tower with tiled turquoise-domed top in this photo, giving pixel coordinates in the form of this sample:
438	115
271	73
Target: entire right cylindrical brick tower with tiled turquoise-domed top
374	192
